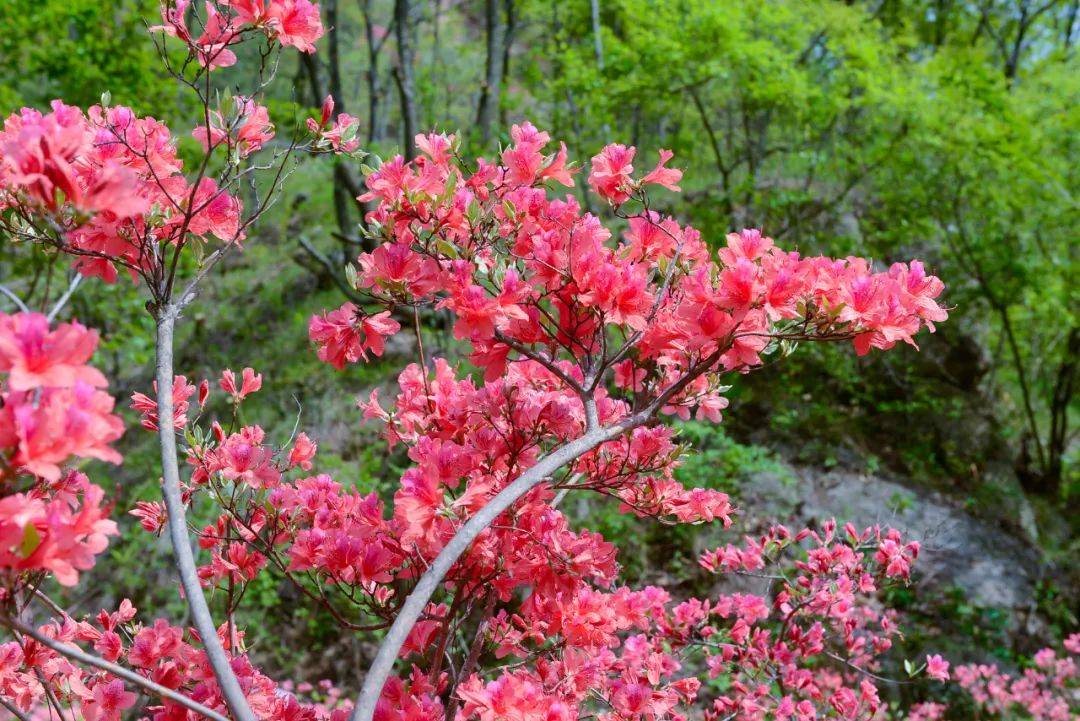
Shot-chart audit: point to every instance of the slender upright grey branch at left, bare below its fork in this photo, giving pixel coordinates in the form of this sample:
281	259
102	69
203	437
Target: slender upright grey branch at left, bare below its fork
179	525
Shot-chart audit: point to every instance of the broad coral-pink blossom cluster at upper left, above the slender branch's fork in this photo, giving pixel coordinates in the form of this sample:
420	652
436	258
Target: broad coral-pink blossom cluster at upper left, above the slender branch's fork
110	186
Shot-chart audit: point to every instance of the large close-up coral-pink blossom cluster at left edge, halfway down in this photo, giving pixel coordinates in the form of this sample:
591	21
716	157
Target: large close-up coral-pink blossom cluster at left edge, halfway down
52	411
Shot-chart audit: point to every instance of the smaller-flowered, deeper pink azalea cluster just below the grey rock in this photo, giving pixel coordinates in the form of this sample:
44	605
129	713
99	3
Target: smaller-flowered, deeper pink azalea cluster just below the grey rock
821	606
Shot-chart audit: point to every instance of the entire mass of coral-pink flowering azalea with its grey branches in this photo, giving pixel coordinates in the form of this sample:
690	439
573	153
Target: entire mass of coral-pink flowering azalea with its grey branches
584	332
